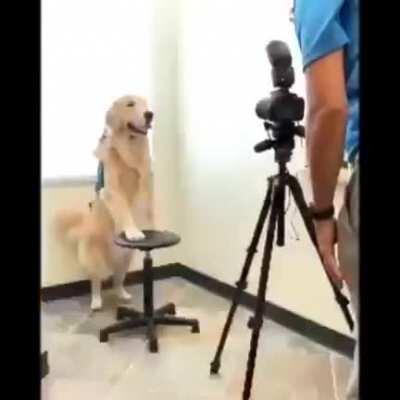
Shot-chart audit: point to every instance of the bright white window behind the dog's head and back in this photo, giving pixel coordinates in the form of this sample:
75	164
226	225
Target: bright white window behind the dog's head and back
93	51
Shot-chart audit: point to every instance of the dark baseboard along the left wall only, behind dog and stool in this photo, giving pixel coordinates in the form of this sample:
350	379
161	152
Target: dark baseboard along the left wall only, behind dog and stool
81	288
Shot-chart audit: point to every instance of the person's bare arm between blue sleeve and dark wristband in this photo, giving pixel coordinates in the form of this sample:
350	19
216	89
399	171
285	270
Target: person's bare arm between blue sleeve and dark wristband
326	125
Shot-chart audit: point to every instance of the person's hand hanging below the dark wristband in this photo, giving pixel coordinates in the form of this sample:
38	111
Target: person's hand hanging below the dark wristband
326	239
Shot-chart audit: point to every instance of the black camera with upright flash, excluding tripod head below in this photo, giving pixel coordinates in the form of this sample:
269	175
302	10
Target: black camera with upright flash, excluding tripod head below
282	109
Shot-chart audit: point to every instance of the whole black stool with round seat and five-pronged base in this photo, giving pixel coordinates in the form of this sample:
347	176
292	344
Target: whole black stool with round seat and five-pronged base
150	318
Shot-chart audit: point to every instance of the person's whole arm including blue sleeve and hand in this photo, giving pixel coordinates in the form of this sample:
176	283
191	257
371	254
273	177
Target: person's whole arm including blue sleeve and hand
323	40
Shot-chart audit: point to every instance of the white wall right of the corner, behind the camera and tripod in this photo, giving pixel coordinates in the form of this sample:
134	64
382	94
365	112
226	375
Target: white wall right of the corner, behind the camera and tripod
224	71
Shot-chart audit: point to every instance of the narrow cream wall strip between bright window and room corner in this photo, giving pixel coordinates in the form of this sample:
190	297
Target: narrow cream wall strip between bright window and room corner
164	87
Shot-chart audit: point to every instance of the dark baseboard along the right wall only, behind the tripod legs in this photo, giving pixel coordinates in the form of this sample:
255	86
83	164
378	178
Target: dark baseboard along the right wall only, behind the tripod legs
318	333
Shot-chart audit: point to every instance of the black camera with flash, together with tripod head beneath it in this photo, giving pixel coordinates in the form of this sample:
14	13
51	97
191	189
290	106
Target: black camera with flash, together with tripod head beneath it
283	110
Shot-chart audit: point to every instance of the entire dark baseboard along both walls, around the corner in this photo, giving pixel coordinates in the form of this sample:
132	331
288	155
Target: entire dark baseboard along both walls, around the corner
327	337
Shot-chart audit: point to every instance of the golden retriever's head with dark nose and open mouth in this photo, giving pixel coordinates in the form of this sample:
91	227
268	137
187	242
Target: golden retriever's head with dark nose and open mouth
130	114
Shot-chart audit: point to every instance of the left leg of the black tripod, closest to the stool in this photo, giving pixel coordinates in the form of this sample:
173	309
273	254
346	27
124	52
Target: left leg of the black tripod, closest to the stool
241	284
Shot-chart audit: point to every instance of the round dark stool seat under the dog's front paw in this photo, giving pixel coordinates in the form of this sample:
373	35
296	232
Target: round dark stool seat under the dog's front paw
153	240
